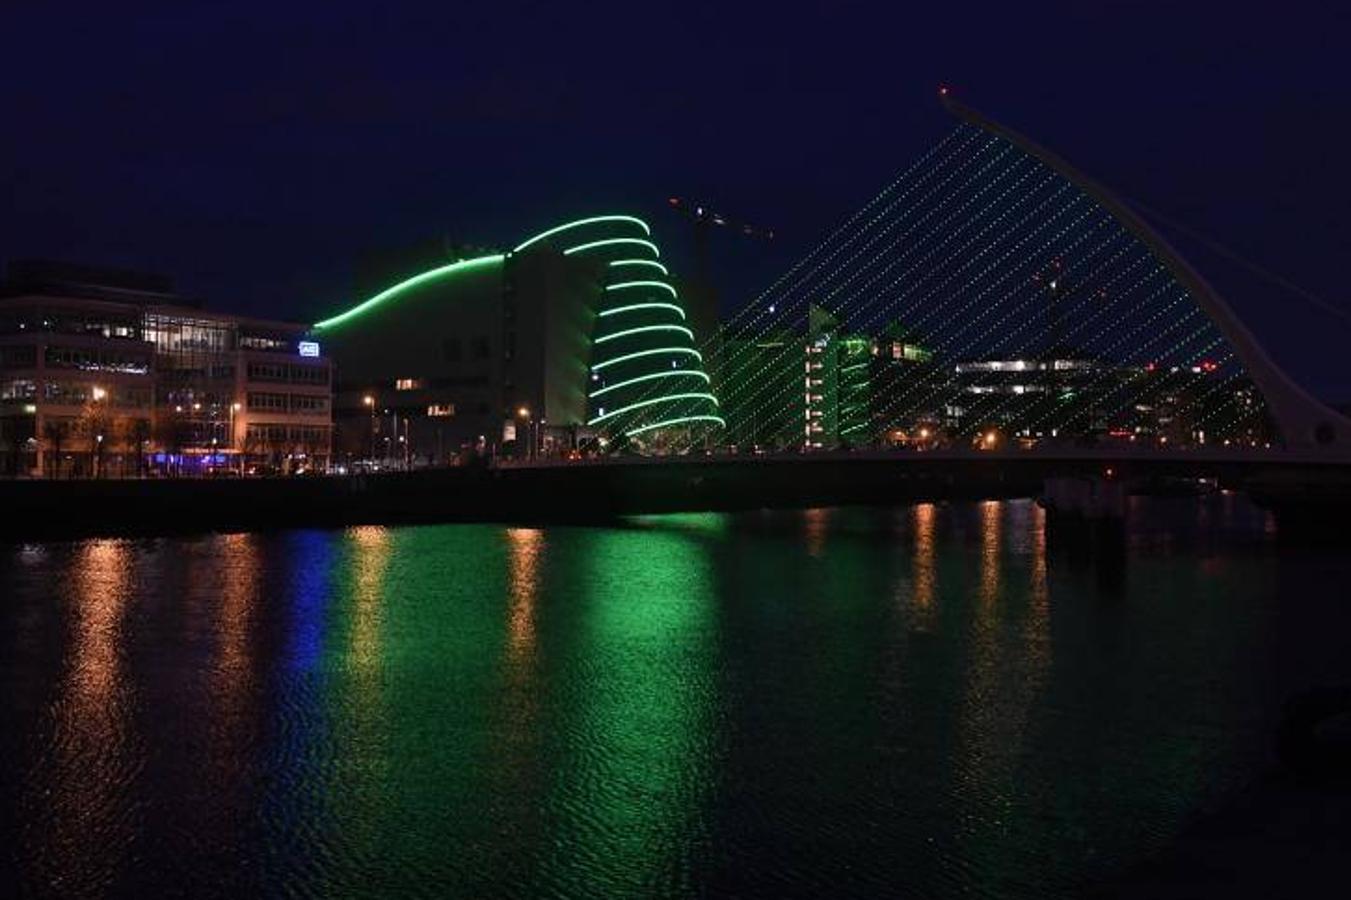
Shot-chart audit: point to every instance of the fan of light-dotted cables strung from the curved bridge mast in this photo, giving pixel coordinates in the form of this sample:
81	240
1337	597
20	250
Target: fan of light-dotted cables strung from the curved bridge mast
952	251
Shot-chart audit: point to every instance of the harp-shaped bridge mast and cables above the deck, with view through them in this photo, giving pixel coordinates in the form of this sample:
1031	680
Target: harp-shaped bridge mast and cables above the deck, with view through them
995	297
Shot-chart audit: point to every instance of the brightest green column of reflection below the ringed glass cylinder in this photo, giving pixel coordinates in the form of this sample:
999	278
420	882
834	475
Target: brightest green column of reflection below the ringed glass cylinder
638	766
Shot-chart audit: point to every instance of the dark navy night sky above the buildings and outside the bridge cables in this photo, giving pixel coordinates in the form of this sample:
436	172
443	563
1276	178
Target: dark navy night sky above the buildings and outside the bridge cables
257	151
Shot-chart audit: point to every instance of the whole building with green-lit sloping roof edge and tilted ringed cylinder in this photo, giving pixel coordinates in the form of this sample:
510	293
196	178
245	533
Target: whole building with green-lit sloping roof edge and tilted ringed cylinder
573	339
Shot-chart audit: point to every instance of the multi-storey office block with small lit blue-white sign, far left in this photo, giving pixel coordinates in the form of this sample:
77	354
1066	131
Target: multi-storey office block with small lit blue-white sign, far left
107	372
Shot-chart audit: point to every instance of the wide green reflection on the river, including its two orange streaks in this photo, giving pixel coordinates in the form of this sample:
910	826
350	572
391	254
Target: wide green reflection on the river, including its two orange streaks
452	752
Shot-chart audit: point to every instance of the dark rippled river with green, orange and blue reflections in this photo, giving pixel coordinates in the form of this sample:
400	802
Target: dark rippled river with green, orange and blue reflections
925	701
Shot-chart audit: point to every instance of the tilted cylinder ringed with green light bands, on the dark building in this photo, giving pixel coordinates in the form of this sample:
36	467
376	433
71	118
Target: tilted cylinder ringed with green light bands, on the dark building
646	378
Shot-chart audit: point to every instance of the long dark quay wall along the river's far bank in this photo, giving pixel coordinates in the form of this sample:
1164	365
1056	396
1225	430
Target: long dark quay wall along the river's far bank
39	510
